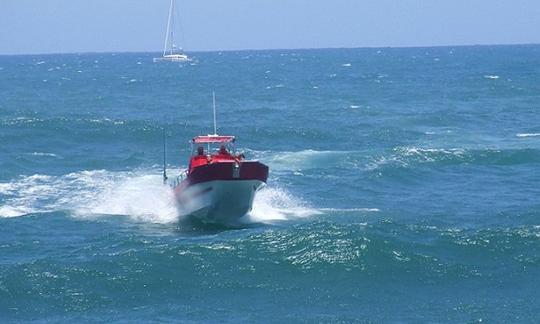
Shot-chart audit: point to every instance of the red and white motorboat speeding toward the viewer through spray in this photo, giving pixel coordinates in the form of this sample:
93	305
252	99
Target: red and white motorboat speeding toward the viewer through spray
220	184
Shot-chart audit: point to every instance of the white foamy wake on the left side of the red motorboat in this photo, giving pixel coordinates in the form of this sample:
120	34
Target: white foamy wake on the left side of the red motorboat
137	194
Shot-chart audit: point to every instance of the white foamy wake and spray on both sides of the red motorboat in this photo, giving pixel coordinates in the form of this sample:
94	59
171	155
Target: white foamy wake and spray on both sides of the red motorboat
138	195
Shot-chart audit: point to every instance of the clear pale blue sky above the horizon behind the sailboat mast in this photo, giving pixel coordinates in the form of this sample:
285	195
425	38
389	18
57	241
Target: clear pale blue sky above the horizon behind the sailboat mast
57	26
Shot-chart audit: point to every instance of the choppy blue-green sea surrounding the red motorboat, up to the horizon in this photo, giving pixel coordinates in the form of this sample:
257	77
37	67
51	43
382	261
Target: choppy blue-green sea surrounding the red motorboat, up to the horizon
404	187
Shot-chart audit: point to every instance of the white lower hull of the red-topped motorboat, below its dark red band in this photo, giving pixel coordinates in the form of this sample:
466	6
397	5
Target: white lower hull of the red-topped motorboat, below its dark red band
219	201
